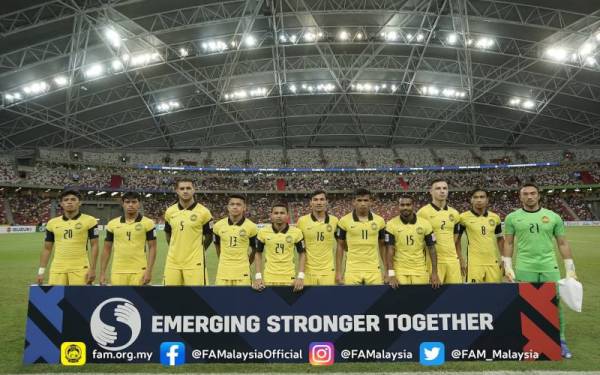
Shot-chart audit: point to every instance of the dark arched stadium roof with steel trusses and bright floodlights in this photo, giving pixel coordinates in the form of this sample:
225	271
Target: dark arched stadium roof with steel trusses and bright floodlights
189	74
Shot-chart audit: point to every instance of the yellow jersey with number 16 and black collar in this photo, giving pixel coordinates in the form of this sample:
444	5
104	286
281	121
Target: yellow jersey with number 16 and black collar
319	238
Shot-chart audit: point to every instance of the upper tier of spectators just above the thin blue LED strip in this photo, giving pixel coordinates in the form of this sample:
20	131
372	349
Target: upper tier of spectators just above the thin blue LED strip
326	157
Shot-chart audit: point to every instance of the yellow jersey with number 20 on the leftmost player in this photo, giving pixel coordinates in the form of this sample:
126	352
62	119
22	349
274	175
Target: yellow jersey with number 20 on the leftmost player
70	237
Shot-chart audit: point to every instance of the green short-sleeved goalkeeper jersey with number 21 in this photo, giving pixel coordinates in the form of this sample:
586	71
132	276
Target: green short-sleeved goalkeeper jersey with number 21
535	234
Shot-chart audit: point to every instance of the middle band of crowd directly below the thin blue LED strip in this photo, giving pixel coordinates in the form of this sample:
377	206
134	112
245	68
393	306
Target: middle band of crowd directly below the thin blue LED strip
61	175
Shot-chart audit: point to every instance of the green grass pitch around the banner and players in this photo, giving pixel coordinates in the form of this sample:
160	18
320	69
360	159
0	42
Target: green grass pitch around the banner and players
19	254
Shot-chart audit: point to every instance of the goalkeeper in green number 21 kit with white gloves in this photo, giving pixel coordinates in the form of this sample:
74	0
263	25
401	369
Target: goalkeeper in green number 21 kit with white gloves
535	229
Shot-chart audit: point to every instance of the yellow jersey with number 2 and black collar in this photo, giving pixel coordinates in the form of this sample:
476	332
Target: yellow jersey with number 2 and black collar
445	224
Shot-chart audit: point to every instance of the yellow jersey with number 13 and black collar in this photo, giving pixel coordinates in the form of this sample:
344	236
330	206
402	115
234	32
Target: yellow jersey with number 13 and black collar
234	239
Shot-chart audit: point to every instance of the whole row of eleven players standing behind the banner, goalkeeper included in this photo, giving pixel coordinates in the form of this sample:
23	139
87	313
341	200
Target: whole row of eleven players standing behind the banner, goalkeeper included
414	247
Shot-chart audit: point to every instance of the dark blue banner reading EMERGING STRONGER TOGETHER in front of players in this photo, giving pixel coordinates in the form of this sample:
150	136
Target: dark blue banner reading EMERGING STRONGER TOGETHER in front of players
321	325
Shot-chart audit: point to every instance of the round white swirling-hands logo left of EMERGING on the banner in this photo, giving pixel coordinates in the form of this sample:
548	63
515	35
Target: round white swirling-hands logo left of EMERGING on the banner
115	324
